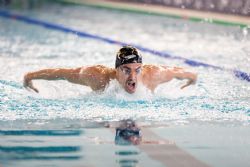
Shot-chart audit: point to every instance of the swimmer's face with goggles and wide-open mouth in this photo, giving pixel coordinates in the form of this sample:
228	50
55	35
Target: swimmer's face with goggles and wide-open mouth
128	75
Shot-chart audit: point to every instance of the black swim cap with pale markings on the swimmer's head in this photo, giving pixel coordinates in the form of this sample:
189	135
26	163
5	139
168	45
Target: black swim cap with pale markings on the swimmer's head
127	55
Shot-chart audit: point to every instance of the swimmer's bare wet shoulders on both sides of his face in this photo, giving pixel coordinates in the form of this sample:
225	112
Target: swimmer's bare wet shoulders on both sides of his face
98	77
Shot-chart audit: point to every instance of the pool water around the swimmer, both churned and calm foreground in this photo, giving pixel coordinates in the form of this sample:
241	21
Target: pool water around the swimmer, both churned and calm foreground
63	125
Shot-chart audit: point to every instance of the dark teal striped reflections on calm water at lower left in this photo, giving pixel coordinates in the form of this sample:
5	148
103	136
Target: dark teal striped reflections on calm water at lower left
26	147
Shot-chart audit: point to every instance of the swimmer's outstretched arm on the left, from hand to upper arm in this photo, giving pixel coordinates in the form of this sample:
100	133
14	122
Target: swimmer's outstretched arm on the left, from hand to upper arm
72	75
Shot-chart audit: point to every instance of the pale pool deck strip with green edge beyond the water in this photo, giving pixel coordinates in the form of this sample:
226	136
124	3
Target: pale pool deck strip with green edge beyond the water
200	16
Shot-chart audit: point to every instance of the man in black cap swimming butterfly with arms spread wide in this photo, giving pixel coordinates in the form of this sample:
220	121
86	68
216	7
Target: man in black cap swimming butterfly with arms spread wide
128	71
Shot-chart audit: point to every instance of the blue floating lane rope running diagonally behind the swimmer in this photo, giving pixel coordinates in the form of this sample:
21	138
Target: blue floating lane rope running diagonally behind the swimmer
6	14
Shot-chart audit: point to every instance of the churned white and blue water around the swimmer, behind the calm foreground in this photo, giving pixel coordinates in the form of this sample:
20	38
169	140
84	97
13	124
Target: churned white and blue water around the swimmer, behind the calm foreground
217	96
